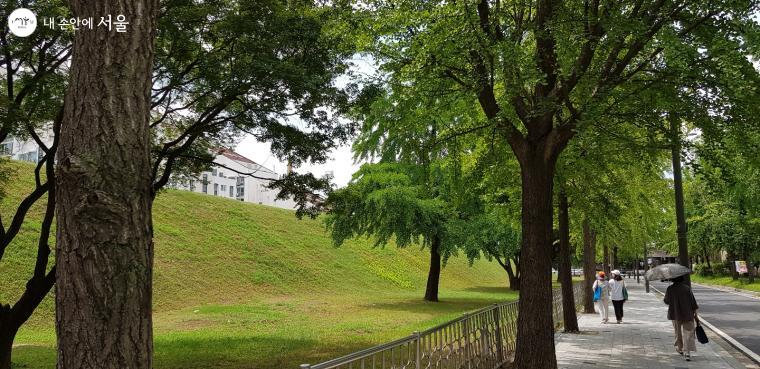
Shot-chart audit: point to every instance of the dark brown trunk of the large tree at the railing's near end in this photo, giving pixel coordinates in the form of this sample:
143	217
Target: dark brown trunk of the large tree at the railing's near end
535	330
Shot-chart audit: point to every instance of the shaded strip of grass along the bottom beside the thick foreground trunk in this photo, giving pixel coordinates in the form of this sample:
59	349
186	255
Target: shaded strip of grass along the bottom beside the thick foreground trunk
193	351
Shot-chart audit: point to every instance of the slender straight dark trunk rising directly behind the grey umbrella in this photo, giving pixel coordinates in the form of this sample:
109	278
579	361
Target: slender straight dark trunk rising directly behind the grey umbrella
683	248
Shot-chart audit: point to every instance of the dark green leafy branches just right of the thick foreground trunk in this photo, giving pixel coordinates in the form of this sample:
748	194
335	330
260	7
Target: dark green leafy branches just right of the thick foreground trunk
265	68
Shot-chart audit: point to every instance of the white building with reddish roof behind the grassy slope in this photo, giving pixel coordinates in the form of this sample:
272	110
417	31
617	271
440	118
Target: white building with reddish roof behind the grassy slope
237	177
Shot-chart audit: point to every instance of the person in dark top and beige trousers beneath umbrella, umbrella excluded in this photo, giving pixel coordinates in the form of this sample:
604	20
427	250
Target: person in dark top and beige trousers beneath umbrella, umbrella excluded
682	311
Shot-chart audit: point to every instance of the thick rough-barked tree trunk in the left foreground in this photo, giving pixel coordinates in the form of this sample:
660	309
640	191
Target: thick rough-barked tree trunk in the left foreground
105	248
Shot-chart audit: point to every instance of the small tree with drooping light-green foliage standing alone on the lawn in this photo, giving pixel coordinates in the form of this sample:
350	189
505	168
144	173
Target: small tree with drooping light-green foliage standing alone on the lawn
389	201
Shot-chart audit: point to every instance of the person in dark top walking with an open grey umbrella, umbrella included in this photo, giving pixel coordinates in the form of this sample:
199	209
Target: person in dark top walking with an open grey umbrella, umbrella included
682	306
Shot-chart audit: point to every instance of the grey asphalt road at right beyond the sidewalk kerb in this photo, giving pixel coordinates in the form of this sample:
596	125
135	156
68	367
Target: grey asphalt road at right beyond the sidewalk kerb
736	315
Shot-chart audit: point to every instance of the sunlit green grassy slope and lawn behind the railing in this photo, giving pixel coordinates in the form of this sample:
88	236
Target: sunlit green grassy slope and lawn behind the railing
247	286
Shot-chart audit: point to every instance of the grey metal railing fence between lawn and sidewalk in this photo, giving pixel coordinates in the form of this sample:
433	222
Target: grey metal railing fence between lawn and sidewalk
483	339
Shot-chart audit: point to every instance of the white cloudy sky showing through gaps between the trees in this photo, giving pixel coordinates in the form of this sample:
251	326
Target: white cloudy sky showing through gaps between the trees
341	162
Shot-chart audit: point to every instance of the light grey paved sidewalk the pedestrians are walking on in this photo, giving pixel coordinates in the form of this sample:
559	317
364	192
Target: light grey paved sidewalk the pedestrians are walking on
644	340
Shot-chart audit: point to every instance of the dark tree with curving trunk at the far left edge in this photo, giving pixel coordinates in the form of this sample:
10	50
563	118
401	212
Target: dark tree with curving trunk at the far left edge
31	97
